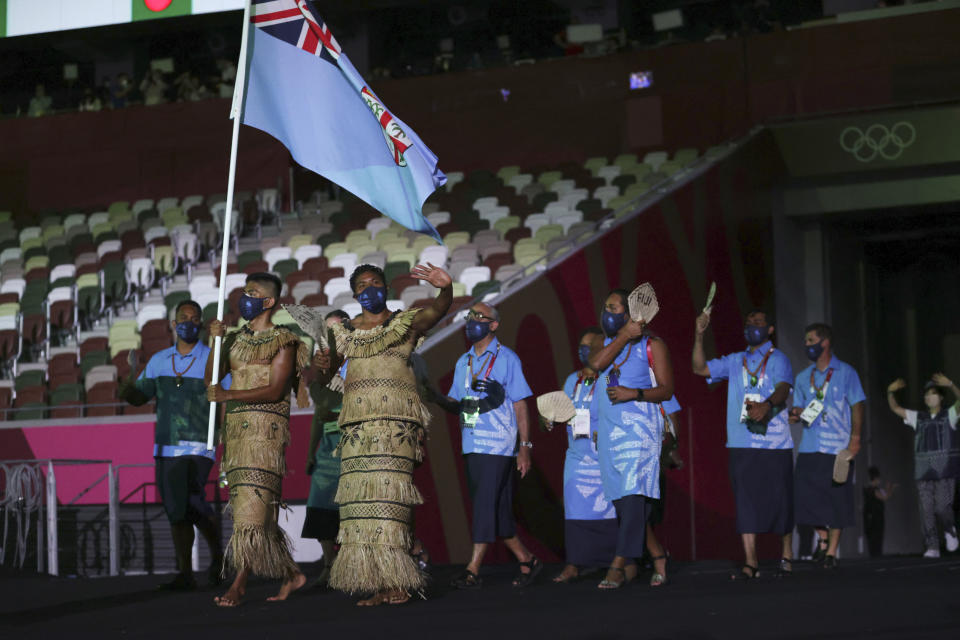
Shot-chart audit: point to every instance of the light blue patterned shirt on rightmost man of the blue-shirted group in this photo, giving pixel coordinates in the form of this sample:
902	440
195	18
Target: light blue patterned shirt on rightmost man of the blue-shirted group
830	432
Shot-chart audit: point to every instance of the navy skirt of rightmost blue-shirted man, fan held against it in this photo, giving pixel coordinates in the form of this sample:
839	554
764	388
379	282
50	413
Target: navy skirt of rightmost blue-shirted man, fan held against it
820	501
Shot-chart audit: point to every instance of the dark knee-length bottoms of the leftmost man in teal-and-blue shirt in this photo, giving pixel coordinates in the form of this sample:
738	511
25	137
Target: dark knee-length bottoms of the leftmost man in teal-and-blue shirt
181	482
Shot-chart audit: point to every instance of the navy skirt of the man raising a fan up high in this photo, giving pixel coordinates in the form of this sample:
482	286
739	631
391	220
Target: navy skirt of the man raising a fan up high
762	482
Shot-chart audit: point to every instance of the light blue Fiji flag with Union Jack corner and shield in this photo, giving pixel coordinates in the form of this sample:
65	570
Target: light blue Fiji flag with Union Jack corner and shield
302	90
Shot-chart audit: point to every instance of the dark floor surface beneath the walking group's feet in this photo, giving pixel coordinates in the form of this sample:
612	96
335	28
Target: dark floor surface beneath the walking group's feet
878	599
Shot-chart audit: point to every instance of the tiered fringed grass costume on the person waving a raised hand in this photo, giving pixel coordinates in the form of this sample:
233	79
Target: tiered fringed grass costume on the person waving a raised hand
382	423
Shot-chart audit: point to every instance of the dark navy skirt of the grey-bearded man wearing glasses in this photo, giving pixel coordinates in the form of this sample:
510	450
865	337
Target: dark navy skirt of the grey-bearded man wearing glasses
491	481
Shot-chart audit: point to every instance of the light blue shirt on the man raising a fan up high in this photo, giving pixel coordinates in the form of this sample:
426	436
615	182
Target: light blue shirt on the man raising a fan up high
778	369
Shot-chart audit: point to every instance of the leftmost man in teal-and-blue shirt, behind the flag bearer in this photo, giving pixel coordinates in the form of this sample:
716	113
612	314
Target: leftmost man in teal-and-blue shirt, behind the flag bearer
174	377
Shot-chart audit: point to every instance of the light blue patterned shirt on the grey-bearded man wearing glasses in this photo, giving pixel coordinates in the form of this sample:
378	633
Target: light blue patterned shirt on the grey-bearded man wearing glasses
495	432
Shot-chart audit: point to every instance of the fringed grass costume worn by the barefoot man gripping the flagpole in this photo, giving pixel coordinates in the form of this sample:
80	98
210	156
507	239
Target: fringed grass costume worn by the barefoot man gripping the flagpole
255	436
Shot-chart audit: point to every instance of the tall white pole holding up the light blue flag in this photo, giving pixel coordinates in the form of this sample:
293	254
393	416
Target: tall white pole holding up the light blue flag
235	112
